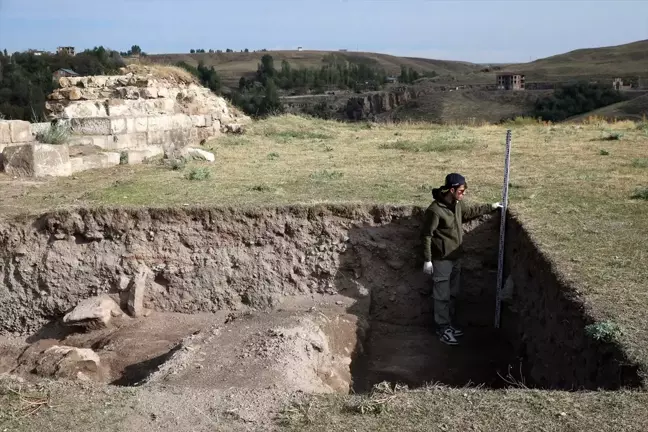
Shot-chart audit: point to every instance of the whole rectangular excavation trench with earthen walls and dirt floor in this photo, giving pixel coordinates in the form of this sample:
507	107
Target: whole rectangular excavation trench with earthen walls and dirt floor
318	299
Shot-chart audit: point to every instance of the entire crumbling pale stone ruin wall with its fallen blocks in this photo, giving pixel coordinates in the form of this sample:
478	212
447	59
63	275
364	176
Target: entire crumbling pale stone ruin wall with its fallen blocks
140	114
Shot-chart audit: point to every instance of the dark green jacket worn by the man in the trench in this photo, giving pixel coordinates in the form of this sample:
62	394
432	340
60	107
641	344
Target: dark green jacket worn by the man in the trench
442	229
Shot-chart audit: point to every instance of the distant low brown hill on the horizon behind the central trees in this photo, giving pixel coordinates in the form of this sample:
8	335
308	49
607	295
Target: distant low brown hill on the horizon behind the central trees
231	66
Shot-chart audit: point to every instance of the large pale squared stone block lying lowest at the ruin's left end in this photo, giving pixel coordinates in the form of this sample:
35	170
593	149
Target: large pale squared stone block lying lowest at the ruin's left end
37	160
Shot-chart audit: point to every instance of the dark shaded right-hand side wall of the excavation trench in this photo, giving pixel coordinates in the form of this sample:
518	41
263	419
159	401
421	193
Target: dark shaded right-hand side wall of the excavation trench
549	321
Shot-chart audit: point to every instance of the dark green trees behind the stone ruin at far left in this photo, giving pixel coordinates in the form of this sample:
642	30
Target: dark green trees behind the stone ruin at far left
26	78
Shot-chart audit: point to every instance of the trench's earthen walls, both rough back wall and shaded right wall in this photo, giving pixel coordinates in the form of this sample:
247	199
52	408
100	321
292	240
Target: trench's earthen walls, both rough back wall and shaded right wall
205	260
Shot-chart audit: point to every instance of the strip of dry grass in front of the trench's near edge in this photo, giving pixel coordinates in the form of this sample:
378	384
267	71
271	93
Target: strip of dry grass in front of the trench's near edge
444	409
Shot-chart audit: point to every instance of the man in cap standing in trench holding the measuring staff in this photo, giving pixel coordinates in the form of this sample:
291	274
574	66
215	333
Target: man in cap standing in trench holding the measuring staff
442	249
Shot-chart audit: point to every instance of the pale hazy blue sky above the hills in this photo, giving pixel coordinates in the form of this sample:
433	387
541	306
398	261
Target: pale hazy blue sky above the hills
478	30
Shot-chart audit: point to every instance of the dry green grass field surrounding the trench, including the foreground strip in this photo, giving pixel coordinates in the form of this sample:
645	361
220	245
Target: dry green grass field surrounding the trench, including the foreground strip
580	191
